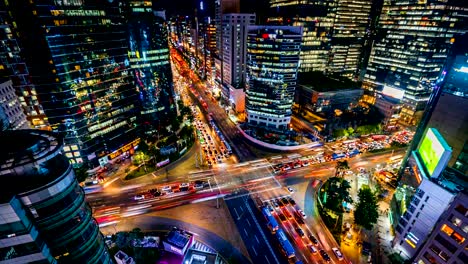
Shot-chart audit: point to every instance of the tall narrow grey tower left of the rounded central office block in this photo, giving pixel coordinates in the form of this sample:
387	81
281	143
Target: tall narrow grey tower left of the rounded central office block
234	53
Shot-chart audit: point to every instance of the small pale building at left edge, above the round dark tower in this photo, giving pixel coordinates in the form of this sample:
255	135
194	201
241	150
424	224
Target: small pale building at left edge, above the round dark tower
12	115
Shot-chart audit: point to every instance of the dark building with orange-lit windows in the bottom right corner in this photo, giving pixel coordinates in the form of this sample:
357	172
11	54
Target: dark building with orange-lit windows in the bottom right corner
449	239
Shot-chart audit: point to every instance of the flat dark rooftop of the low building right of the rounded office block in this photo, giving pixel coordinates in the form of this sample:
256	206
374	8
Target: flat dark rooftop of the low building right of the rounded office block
317	81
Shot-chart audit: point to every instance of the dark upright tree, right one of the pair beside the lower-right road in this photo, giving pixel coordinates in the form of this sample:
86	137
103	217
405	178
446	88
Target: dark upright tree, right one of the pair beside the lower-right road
366	213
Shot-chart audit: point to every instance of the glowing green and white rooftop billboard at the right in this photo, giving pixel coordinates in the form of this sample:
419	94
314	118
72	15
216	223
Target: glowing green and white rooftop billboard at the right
433	153
